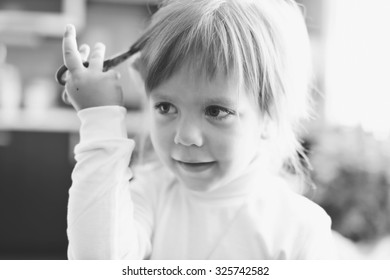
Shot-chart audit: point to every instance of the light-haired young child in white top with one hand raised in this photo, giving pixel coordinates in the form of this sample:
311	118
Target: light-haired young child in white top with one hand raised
226	84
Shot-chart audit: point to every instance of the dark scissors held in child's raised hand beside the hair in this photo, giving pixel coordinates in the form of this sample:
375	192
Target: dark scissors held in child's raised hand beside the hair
108	63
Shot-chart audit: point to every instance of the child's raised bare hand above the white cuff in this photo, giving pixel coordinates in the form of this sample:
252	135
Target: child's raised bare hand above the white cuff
88	87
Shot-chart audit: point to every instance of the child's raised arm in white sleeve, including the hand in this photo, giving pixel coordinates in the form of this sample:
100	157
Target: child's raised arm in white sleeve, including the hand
101	219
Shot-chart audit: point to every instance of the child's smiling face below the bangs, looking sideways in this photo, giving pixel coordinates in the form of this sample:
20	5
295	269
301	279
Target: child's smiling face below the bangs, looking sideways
206	132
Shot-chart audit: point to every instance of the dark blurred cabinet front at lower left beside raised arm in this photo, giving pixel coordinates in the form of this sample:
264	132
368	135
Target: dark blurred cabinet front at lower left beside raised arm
34	181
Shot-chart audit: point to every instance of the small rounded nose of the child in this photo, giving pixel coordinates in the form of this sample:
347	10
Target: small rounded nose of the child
189	133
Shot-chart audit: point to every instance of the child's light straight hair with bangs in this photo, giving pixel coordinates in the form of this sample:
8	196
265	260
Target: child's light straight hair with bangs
264	42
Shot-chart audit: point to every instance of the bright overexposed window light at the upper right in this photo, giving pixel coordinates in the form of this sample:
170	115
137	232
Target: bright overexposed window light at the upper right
357	75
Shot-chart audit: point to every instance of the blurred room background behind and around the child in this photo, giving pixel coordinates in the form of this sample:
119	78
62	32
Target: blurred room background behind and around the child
348	140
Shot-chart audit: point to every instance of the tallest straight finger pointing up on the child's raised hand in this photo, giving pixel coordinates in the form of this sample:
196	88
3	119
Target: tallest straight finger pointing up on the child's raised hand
72	58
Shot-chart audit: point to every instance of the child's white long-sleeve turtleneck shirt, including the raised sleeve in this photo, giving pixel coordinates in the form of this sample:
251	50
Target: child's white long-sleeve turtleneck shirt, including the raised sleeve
153	216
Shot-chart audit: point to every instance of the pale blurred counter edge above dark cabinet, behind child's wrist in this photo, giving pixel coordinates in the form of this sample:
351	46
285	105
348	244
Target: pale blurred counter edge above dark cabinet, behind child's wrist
54	120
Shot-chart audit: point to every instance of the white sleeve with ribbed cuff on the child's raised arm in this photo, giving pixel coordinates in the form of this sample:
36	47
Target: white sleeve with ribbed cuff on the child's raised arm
101	222
